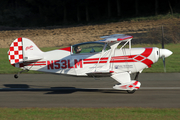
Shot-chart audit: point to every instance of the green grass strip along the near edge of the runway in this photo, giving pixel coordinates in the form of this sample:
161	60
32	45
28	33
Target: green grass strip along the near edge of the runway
89	113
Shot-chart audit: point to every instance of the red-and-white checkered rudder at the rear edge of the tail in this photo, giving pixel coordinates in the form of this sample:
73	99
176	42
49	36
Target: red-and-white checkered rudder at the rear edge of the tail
15	52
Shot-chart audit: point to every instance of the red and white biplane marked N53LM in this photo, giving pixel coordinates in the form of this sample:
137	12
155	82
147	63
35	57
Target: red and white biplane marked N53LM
99	58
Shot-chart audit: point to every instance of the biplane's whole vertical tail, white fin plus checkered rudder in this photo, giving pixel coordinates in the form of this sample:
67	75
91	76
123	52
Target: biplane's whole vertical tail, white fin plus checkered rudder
23	50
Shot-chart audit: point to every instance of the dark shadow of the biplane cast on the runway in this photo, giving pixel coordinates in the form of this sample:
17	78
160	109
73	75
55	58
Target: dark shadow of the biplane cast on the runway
57	90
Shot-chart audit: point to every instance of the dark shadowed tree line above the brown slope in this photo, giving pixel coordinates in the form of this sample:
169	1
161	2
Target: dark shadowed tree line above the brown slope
57	12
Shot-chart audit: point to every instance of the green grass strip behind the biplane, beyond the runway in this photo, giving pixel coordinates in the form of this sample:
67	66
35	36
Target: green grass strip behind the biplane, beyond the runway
172	62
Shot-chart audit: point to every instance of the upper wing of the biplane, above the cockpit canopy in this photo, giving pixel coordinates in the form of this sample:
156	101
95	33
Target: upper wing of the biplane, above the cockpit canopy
115	38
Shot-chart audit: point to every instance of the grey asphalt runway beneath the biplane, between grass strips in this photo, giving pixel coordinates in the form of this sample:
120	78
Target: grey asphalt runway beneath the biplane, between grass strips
158	90
